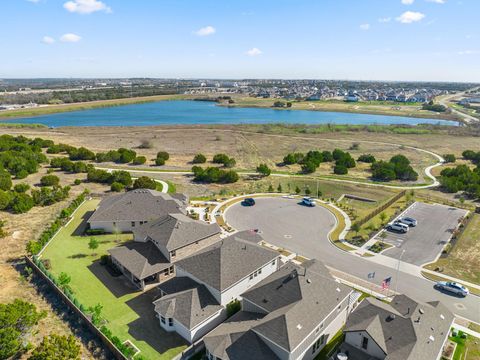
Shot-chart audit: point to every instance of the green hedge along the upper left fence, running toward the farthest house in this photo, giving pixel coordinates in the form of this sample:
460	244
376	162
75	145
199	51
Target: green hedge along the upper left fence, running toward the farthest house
35	247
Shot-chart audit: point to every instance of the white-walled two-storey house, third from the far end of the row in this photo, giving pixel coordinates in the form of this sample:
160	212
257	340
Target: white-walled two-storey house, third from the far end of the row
194	302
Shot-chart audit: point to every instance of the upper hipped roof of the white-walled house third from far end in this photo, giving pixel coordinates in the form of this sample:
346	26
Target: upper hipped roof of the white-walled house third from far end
228	261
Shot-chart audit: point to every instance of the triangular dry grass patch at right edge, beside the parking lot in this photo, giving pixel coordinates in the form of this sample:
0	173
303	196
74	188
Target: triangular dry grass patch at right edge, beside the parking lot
463	261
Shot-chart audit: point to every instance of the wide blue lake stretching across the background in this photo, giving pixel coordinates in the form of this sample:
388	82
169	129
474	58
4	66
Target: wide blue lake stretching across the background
201	112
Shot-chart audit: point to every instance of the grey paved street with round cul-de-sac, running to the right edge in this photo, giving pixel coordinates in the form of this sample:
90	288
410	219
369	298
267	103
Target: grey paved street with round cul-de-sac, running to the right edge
312	242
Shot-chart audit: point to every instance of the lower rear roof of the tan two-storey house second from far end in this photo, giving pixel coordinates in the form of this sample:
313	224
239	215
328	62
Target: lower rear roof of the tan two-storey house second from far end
141	259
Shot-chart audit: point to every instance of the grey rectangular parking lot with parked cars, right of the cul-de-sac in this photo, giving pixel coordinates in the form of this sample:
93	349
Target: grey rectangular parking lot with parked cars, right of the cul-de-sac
423	243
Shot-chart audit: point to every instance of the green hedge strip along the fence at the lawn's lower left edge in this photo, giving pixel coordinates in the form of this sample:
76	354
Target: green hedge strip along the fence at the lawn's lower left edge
120	351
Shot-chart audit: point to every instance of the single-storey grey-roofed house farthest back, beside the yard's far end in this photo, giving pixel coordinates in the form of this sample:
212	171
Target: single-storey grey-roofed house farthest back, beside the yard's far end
125	212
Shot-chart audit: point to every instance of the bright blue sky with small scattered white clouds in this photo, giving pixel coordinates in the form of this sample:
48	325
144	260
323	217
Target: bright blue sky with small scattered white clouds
436	40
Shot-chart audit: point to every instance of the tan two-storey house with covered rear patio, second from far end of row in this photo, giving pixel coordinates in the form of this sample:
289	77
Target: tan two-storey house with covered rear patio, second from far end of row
158	244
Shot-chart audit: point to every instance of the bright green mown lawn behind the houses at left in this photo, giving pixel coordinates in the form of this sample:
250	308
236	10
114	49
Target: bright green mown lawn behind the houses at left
128	312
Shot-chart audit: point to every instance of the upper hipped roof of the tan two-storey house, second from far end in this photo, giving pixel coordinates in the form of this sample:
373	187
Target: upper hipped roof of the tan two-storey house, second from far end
174	231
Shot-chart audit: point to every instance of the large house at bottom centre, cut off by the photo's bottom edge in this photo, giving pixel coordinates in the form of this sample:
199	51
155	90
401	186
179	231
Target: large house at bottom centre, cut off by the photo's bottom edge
291	314
